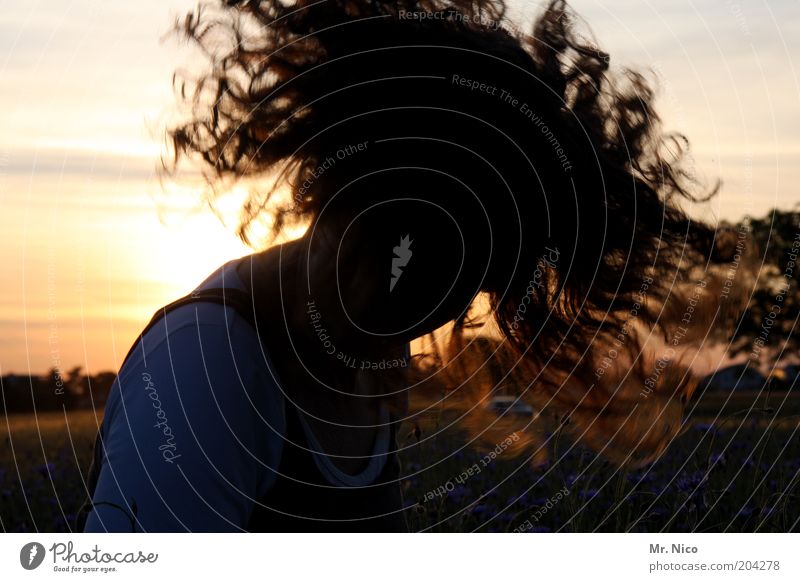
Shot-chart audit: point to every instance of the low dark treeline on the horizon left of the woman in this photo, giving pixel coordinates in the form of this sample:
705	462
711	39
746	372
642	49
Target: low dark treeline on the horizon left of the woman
55	390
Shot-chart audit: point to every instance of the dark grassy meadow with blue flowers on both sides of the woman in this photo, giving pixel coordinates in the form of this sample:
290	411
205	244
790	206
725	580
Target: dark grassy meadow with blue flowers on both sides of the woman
738	473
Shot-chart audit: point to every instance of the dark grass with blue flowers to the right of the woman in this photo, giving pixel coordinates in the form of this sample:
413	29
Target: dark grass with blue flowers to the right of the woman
736	468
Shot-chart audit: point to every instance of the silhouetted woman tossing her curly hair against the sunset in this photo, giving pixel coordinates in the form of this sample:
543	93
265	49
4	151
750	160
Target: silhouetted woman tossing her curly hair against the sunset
436	156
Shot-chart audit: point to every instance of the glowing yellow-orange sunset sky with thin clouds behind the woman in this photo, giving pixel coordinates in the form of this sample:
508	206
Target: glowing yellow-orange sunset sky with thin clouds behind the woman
91	244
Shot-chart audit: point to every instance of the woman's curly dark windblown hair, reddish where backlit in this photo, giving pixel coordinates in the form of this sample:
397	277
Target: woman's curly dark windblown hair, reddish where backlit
556	171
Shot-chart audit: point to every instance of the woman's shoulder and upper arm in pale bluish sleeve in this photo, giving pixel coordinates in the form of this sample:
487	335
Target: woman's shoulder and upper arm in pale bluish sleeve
195	417
